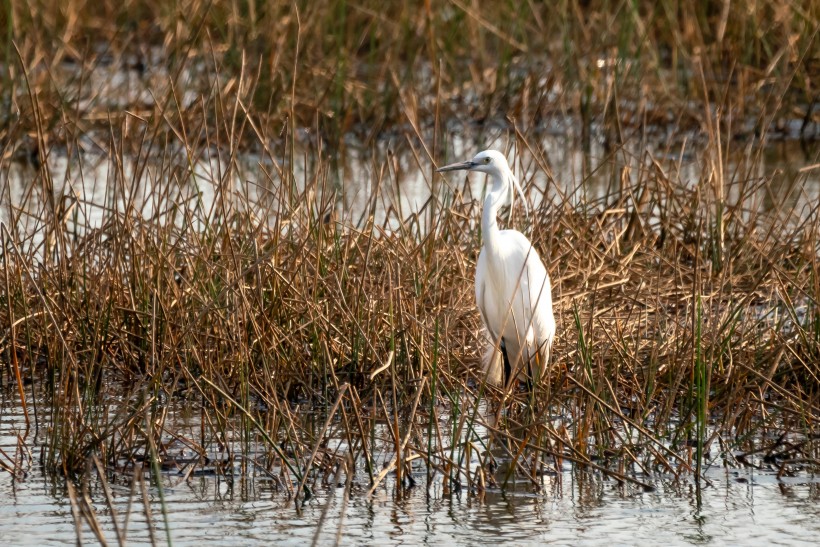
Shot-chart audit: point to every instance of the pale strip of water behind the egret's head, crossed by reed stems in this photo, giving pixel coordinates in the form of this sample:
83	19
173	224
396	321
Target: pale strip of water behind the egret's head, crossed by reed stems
388	180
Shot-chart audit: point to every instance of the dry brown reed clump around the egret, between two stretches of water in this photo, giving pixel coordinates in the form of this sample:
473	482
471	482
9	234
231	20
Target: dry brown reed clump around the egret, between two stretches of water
677	324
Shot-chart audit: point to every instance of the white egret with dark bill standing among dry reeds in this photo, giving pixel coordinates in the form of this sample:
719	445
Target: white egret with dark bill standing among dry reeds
512	287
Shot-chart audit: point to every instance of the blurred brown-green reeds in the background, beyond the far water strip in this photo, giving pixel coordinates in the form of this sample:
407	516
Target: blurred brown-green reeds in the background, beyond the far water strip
344	65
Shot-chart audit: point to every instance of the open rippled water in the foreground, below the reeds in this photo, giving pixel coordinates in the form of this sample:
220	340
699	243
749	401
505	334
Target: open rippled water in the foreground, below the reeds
741	505
